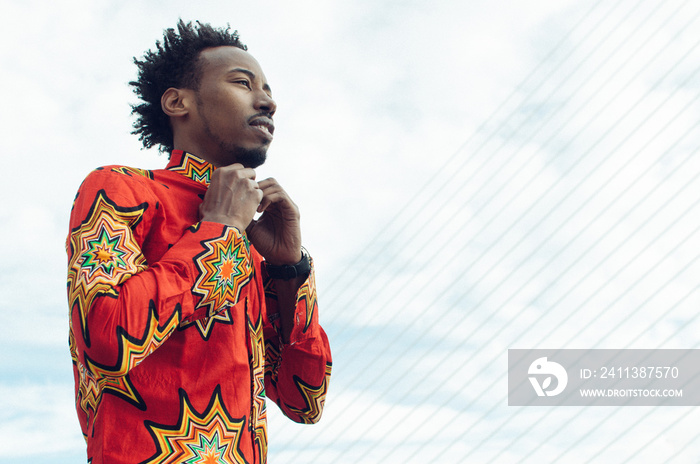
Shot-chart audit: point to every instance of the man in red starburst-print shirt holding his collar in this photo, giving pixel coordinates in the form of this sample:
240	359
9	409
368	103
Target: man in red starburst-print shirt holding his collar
186	312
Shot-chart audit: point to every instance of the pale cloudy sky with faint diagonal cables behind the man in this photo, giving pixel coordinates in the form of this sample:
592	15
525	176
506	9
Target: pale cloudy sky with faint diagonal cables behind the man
473	176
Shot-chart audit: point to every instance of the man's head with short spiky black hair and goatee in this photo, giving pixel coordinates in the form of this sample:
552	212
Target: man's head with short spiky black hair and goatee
202	92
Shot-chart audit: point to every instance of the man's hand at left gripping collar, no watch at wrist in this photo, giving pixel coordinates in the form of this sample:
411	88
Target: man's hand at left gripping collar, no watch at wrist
232	198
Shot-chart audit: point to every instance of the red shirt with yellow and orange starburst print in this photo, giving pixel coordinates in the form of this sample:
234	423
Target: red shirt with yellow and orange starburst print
174	327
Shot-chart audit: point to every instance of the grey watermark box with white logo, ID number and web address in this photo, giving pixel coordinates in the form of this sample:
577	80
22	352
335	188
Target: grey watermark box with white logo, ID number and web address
603	377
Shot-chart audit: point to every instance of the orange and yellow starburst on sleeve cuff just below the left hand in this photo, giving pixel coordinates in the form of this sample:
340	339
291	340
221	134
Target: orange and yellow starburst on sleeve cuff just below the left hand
224	269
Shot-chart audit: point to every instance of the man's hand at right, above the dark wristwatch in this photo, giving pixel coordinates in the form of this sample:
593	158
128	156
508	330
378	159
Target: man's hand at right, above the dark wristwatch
276	234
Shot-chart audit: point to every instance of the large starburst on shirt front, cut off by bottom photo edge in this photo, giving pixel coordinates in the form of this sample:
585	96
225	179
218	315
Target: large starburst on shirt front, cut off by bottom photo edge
210	437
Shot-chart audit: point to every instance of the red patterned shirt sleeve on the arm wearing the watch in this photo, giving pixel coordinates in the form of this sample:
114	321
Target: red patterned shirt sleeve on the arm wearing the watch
297	373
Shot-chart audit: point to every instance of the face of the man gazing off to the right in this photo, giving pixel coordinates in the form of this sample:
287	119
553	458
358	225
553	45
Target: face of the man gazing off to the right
232	121
